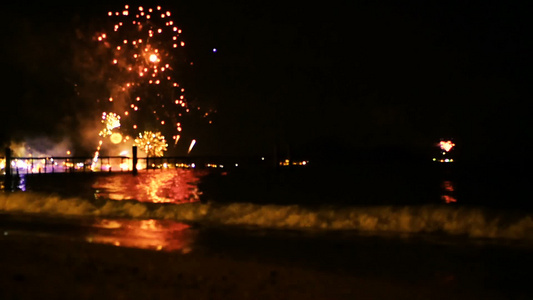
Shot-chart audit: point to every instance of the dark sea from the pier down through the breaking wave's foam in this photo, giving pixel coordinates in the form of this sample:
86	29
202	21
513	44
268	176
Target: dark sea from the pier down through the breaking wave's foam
271	201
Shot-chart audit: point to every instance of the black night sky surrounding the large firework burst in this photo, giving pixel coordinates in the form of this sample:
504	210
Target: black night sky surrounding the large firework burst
355	74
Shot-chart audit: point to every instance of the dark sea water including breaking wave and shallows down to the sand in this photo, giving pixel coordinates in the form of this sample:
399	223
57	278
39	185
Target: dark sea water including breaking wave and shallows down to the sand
398	224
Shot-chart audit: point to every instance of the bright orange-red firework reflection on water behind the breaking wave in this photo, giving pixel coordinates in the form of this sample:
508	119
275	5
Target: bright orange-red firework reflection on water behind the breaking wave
167	186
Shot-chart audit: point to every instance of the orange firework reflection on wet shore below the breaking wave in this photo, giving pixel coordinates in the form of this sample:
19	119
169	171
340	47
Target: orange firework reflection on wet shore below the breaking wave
144	234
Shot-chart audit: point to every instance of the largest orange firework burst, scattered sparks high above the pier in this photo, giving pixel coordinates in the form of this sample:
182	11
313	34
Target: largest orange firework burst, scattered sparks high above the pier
142	50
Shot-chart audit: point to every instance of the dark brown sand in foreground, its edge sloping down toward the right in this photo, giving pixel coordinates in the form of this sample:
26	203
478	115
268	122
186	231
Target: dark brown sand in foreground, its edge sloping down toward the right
43	268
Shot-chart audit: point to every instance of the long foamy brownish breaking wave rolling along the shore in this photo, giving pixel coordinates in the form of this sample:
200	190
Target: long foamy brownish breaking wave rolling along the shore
452	220
